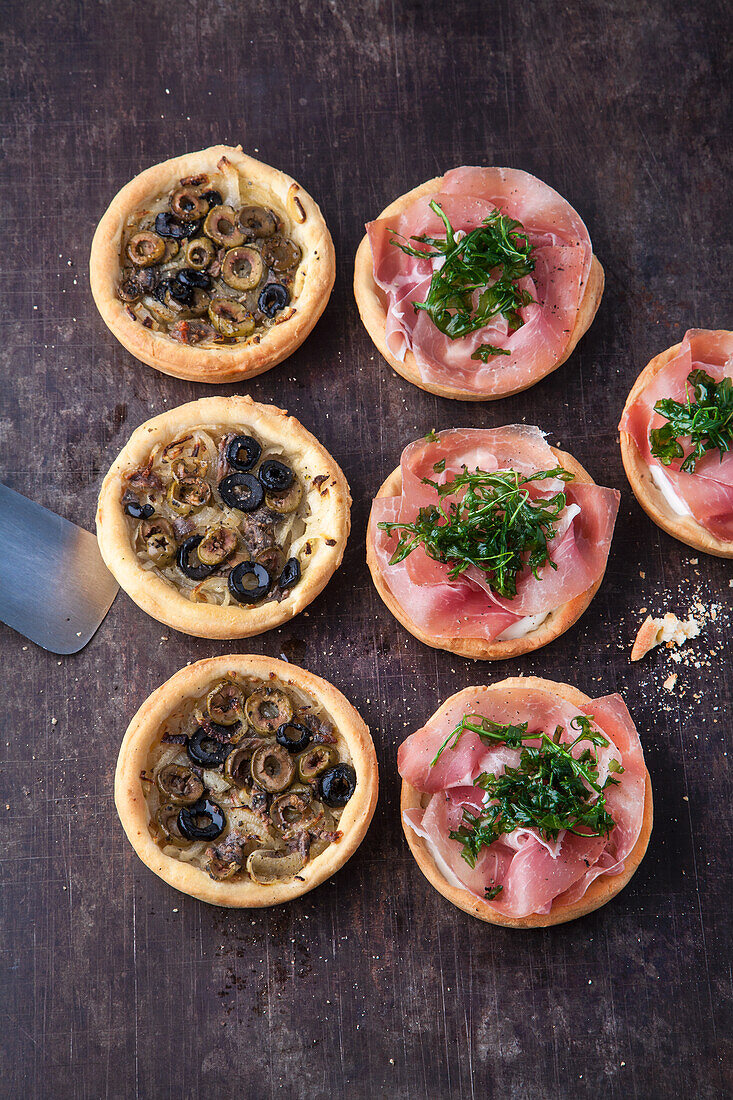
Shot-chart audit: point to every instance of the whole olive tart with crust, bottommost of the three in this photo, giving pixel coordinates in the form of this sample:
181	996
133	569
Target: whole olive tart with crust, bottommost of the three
246	782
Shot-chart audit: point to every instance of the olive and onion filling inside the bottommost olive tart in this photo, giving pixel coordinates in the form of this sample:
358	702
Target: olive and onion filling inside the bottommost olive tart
248	782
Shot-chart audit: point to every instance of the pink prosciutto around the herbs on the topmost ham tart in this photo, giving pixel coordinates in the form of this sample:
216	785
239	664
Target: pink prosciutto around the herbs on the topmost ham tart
563	256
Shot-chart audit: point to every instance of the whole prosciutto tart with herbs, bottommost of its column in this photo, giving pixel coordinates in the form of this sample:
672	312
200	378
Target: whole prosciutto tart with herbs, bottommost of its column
527	804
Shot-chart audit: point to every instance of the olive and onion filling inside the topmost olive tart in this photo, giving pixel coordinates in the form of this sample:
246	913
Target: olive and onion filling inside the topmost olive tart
210	262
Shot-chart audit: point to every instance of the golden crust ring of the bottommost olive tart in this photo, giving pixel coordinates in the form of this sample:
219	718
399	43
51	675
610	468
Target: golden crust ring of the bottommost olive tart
145	730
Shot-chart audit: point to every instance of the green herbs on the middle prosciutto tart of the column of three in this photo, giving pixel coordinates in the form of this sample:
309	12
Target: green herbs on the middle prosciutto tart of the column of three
495	525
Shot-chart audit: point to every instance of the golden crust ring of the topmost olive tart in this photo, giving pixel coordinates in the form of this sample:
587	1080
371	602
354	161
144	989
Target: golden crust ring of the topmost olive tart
232	364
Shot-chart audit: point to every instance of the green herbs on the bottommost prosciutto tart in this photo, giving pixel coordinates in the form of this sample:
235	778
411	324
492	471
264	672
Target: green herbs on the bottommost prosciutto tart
551	790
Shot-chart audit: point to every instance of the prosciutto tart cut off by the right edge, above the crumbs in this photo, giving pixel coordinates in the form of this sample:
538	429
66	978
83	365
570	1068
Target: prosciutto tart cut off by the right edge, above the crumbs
676	437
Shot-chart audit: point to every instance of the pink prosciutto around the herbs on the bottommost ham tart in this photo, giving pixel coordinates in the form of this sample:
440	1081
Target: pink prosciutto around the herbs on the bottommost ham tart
533	872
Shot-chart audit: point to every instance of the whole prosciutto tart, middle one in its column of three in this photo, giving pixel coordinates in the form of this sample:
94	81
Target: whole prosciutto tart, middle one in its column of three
489	543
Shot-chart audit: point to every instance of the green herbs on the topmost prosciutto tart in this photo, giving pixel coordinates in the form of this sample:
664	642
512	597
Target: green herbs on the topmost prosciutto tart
489	261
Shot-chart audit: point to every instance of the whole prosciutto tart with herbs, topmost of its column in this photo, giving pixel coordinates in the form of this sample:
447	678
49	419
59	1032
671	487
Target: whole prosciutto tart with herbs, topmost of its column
477	284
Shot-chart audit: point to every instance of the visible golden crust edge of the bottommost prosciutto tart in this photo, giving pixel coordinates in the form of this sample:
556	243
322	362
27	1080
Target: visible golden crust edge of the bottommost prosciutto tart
600	892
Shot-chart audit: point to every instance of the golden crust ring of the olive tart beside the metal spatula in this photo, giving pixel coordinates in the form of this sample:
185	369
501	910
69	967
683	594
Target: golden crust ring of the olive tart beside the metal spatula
329	524
